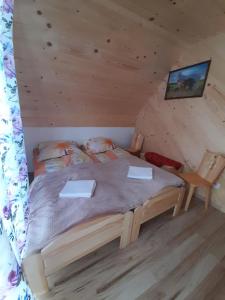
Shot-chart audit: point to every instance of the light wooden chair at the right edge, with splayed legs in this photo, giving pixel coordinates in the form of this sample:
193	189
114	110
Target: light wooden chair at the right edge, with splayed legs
211	167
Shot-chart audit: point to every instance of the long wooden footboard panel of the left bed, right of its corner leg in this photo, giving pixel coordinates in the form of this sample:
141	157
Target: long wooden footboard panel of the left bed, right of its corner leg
82	240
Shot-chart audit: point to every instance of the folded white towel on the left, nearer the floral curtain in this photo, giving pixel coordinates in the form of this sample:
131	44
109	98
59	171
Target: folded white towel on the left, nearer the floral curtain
78	188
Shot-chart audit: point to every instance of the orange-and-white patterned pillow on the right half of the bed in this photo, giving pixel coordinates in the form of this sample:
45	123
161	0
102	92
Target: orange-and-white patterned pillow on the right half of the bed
98	145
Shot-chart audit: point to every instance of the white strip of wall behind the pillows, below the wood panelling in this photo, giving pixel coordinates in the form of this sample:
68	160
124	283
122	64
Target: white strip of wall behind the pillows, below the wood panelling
33	135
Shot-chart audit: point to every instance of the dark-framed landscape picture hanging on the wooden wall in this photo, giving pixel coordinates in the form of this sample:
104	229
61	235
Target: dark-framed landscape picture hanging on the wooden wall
187	82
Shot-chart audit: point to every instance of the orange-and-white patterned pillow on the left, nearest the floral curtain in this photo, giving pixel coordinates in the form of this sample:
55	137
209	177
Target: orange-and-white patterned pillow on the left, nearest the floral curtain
50	150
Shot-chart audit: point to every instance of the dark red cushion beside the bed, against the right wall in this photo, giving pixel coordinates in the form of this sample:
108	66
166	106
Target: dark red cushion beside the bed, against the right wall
160	160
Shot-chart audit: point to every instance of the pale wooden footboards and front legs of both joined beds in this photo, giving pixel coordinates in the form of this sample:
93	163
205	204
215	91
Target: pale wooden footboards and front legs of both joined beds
85	238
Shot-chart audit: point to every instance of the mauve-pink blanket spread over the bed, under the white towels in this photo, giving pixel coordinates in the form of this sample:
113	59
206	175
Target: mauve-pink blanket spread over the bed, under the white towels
115	193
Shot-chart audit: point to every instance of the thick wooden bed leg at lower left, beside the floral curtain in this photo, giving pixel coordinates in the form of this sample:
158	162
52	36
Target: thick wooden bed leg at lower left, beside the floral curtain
33	267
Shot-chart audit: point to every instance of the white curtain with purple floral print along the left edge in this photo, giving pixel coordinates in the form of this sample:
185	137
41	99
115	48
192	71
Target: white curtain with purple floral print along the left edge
13	168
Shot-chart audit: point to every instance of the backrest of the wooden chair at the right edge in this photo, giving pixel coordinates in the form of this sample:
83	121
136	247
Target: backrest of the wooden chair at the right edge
211	166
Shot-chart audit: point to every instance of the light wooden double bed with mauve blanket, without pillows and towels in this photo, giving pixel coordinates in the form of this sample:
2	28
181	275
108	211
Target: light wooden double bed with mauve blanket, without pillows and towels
91	230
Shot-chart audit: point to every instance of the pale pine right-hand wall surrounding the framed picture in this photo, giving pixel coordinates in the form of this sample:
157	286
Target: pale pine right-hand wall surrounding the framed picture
184	129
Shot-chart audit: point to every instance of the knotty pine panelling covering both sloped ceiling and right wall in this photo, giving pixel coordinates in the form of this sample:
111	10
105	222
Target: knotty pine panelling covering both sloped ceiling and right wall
97	62
